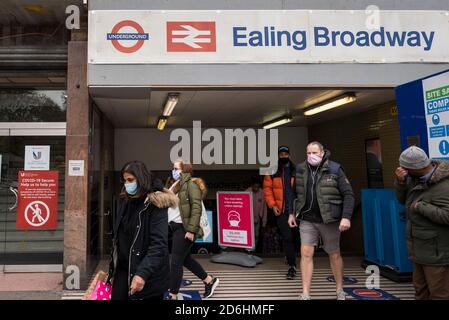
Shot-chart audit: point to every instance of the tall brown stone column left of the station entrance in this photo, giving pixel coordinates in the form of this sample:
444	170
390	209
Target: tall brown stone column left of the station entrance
76	213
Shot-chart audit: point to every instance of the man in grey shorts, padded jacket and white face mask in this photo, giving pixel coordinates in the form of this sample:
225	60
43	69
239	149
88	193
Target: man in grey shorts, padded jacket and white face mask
324	204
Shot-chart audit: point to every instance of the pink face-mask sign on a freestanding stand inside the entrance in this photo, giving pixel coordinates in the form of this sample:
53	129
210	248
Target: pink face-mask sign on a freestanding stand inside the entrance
235	219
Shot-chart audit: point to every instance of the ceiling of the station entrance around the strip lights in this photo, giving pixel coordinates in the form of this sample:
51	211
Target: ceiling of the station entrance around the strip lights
140	107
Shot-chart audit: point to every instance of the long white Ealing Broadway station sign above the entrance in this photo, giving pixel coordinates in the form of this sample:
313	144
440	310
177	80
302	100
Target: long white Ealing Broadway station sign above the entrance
267	36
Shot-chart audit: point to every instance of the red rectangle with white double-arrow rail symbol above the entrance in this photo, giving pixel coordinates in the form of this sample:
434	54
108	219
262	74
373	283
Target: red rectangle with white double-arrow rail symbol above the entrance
193	36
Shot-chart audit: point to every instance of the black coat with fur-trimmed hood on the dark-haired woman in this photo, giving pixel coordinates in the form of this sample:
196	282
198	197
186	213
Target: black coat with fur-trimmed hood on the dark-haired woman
149	257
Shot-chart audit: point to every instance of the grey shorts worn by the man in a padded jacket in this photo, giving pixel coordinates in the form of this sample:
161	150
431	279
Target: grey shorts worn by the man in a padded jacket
330	234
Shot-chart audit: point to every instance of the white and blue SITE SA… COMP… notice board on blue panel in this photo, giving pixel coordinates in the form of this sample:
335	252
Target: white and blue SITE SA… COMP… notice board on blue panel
436	104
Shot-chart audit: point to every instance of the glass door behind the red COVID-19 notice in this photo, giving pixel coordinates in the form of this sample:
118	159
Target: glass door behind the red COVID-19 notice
28	247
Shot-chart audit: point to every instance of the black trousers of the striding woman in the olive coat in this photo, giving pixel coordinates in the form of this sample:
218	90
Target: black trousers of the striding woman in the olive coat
180	256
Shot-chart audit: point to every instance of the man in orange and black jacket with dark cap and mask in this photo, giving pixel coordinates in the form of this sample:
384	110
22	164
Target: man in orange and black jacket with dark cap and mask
277	190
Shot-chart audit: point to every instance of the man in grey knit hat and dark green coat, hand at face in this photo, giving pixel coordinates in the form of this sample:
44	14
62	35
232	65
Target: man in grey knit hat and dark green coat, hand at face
422	186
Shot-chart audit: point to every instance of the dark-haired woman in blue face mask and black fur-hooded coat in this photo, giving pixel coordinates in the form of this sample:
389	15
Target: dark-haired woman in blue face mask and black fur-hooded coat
139	265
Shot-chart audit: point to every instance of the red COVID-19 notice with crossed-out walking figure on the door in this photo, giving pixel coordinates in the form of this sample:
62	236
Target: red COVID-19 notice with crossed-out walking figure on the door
37	206
